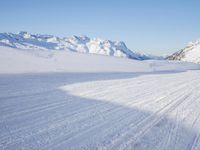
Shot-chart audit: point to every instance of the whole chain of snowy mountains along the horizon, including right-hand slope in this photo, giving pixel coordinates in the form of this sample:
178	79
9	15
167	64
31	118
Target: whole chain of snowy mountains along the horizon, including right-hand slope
84	44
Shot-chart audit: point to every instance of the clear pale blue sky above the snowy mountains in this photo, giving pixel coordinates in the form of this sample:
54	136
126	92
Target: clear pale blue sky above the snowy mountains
149	26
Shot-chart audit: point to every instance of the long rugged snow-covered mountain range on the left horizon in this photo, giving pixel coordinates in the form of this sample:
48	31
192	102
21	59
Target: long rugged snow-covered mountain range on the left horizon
82	44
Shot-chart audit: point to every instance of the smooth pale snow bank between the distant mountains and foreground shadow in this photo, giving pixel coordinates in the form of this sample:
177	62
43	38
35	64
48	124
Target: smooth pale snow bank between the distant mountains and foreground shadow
36	61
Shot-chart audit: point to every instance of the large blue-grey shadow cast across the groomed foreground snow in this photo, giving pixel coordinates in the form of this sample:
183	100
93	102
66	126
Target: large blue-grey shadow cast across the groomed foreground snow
34	114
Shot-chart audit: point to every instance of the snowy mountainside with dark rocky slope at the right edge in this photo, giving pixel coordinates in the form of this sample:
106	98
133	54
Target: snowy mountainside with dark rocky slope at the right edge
191	53
